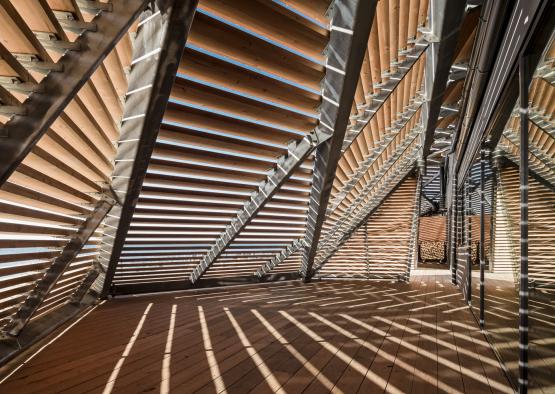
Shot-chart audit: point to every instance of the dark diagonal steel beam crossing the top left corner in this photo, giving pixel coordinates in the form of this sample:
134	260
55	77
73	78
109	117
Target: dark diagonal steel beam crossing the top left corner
57	89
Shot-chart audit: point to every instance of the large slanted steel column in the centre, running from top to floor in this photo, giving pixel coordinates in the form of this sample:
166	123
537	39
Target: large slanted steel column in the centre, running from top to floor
350	30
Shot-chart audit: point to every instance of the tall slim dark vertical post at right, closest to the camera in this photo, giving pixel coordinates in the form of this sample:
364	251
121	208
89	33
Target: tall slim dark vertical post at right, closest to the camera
524	82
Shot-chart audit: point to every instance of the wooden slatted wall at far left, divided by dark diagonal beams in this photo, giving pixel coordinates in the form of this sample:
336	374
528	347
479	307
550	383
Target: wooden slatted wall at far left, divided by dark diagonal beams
58	184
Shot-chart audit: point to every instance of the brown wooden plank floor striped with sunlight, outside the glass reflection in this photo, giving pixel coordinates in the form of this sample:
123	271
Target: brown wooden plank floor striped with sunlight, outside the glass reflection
338	336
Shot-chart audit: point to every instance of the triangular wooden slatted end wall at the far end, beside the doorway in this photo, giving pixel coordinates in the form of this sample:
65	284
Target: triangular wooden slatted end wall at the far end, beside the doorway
380	248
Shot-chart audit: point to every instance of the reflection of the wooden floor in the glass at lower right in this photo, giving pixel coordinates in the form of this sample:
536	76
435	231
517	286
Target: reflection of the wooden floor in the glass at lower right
502	325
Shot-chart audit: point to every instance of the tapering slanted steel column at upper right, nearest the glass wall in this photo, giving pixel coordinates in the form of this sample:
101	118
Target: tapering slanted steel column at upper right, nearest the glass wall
445	18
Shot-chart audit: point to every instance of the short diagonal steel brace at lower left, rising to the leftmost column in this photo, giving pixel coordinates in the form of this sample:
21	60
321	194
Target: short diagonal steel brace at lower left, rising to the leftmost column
57	268
